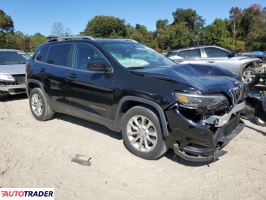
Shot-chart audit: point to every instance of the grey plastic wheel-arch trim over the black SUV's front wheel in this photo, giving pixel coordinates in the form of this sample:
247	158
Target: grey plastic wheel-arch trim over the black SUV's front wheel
153	104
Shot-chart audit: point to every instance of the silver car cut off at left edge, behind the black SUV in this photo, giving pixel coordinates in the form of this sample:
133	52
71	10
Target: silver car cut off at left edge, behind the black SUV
12	72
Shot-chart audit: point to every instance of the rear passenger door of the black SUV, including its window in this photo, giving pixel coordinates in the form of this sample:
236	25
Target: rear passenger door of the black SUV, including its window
53	74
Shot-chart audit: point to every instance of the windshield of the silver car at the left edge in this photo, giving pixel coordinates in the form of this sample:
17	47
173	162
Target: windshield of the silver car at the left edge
13	57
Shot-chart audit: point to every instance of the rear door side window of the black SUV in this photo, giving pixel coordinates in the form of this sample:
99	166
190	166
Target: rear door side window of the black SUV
60	55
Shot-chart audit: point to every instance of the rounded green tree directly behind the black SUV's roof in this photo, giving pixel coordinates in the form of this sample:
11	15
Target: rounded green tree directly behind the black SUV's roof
106	27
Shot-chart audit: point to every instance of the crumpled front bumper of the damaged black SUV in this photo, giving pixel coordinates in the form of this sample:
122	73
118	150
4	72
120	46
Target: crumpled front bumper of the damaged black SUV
203	141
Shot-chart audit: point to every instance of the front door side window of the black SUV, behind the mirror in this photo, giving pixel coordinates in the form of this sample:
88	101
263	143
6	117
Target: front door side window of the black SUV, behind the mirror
87	55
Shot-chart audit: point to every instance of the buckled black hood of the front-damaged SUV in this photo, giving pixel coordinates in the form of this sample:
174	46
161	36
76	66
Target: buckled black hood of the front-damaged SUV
206	78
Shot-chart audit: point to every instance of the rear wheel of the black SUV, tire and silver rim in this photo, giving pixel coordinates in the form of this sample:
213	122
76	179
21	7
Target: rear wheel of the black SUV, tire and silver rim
39	106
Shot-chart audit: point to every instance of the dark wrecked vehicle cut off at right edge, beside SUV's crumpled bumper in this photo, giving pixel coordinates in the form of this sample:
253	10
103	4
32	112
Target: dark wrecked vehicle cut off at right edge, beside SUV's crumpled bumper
256	100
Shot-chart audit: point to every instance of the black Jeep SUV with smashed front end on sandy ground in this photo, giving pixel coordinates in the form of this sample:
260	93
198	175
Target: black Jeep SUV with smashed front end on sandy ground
128	87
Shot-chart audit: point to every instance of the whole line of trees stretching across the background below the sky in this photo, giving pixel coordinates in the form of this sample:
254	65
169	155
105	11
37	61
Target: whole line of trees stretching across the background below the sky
243	30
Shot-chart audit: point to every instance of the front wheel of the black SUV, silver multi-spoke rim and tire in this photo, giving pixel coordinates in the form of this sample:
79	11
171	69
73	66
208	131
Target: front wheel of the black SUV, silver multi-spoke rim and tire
133	127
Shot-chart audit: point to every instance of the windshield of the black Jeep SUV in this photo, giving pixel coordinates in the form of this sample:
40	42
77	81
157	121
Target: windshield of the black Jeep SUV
135	55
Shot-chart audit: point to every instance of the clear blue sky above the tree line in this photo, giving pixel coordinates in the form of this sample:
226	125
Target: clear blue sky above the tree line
32	16
